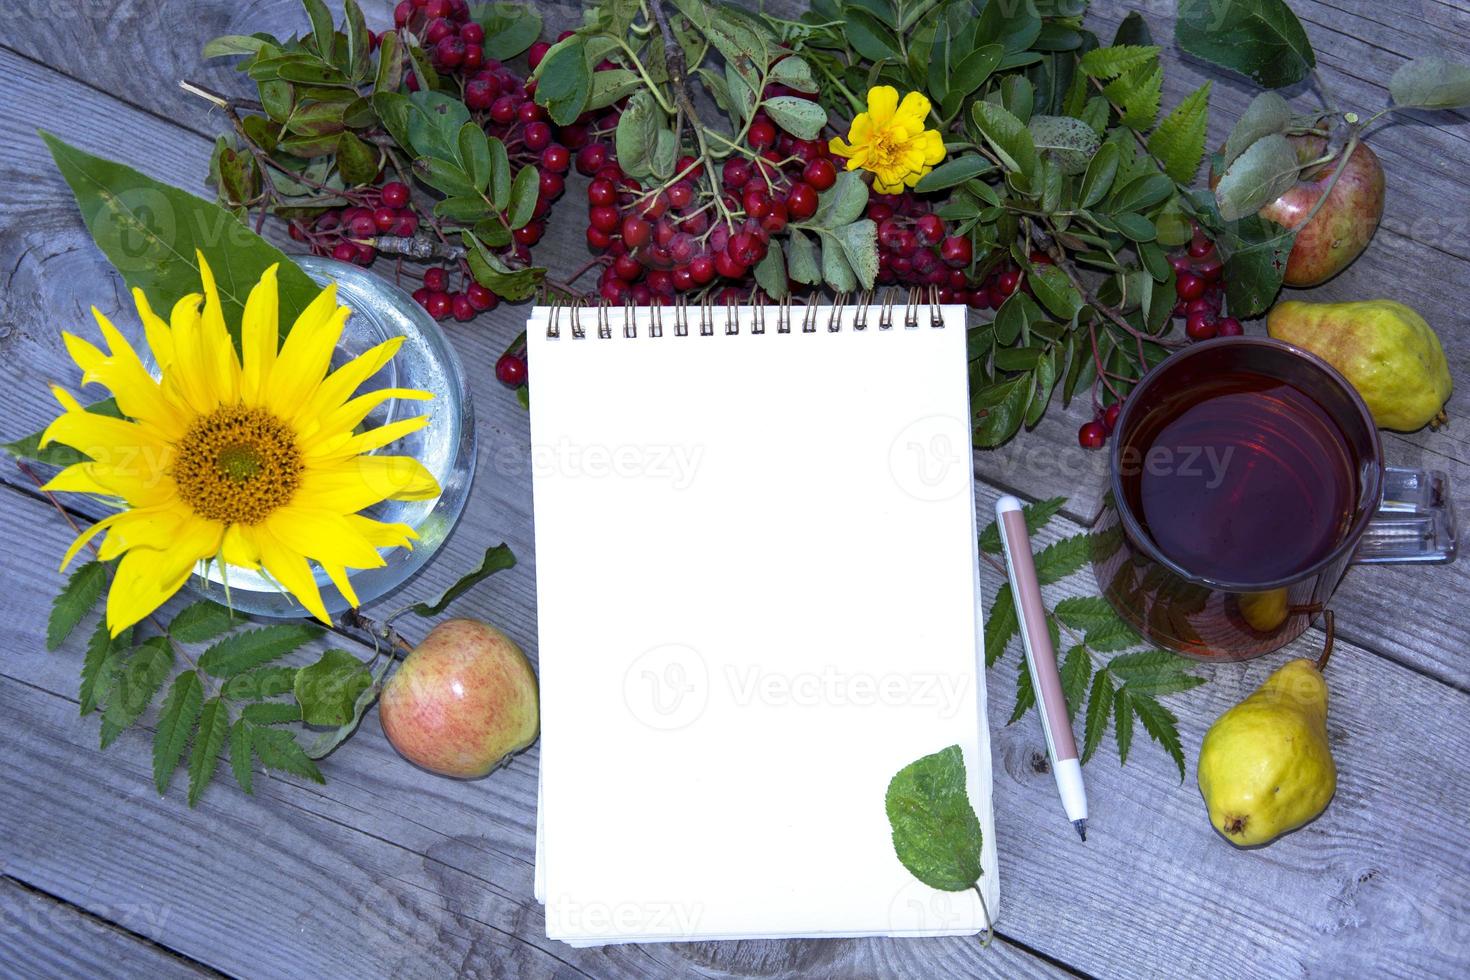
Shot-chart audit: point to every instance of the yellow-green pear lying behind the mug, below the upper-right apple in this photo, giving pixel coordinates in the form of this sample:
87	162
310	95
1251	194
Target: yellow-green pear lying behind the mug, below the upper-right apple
1384	349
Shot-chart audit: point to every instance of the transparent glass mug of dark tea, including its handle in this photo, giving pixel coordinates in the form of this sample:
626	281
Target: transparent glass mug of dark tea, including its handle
1246	477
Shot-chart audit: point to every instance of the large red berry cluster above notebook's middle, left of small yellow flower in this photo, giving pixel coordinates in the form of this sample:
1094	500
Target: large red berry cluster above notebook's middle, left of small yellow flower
671	239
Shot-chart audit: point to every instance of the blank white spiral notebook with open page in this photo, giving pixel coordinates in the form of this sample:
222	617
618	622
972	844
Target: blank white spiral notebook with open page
758	600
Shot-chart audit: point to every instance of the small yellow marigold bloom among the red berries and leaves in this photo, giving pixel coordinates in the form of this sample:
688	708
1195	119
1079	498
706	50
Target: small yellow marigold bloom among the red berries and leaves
890	140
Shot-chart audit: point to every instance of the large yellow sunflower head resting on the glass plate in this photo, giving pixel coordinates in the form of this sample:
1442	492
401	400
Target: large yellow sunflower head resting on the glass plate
251	461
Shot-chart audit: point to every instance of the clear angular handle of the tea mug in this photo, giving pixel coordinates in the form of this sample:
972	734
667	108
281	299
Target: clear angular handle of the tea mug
1415	522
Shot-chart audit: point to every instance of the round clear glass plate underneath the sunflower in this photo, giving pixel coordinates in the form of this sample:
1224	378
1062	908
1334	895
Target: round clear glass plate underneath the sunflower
446	446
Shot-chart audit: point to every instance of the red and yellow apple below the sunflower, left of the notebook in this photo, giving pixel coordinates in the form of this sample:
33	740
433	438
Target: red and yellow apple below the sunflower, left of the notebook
462	702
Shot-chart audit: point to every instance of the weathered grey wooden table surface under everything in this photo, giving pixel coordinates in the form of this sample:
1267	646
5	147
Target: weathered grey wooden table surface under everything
389	871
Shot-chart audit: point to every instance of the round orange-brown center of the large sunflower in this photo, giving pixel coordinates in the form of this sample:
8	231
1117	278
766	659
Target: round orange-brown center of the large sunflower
237	465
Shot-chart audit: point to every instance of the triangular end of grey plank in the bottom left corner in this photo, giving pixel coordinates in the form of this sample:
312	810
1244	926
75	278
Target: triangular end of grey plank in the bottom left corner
45	938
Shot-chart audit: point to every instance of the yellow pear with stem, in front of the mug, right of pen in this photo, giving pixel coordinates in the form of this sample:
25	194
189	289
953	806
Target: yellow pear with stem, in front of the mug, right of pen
1265	766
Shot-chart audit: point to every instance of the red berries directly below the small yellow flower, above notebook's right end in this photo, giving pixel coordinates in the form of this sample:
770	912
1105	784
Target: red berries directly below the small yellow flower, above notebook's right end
917	249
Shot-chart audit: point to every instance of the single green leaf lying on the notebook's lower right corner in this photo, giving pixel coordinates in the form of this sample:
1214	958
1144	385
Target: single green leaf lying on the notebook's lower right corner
937	834
